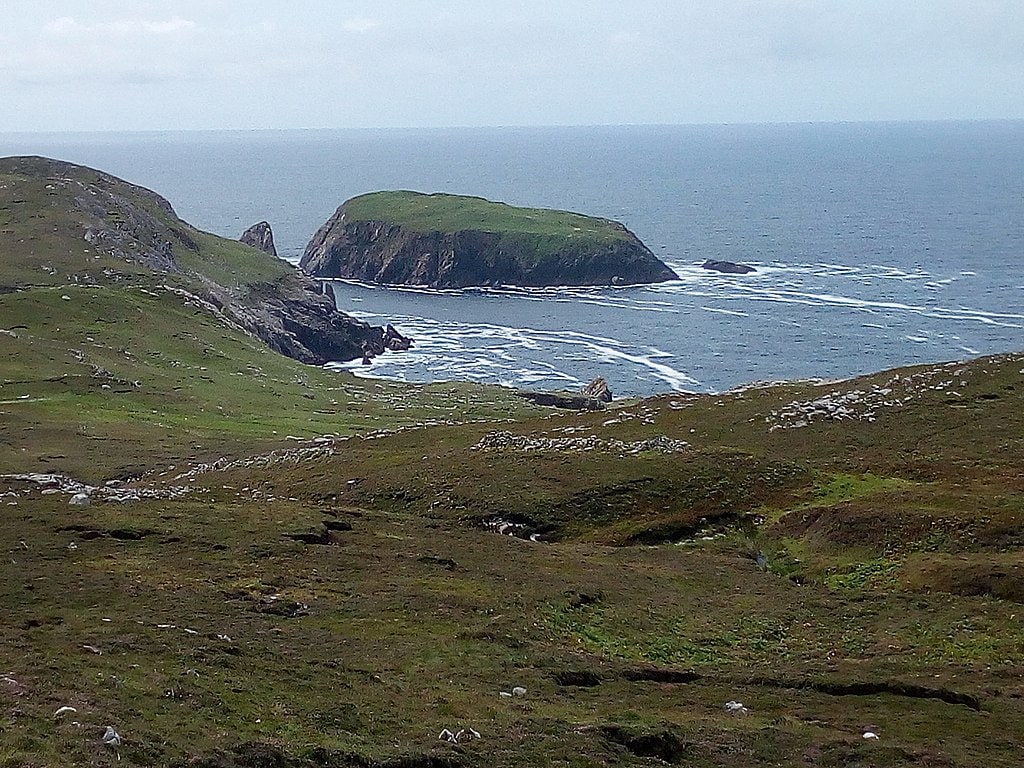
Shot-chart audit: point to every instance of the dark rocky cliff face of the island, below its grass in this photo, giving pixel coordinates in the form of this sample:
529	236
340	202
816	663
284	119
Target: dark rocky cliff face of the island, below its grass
387	252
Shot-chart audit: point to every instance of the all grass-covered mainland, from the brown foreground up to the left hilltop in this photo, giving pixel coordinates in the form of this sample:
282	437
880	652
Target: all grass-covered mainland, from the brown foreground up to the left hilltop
280	566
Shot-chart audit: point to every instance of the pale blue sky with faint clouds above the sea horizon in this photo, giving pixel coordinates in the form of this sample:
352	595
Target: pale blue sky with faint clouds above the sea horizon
184	65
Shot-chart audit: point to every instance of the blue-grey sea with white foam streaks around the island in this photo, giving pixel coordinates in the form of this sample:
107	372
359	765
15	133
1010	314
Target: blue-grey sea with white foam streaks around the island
876	245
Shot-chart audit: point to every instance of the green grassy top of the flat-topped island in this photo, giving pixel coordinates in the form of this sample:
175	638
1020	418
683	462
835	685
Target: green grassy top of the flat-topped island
440	212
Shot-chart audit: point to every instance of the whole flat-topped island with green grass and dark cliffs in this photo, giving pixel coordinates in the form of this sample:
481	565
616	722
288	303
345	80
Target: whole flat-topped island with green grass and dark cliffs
452	241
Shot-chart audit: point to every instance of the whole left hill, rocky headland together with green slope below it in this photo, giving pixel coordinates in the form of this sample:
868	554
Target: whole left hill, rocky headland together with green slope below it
126	334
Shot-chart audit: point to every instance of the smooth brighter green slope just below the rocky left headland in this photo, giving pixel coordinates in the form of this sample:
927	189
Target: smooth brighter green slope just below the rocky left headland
144	370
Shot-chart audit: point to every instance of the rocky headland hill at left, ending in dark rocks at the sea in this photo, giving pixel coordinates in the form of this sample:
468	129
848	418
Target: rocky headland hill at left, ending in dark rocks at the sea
62	224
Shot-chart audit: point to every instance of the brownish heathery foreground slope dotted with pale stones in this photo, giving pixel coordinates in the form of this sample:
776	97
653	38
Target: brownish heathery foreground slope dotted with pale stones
418	617
